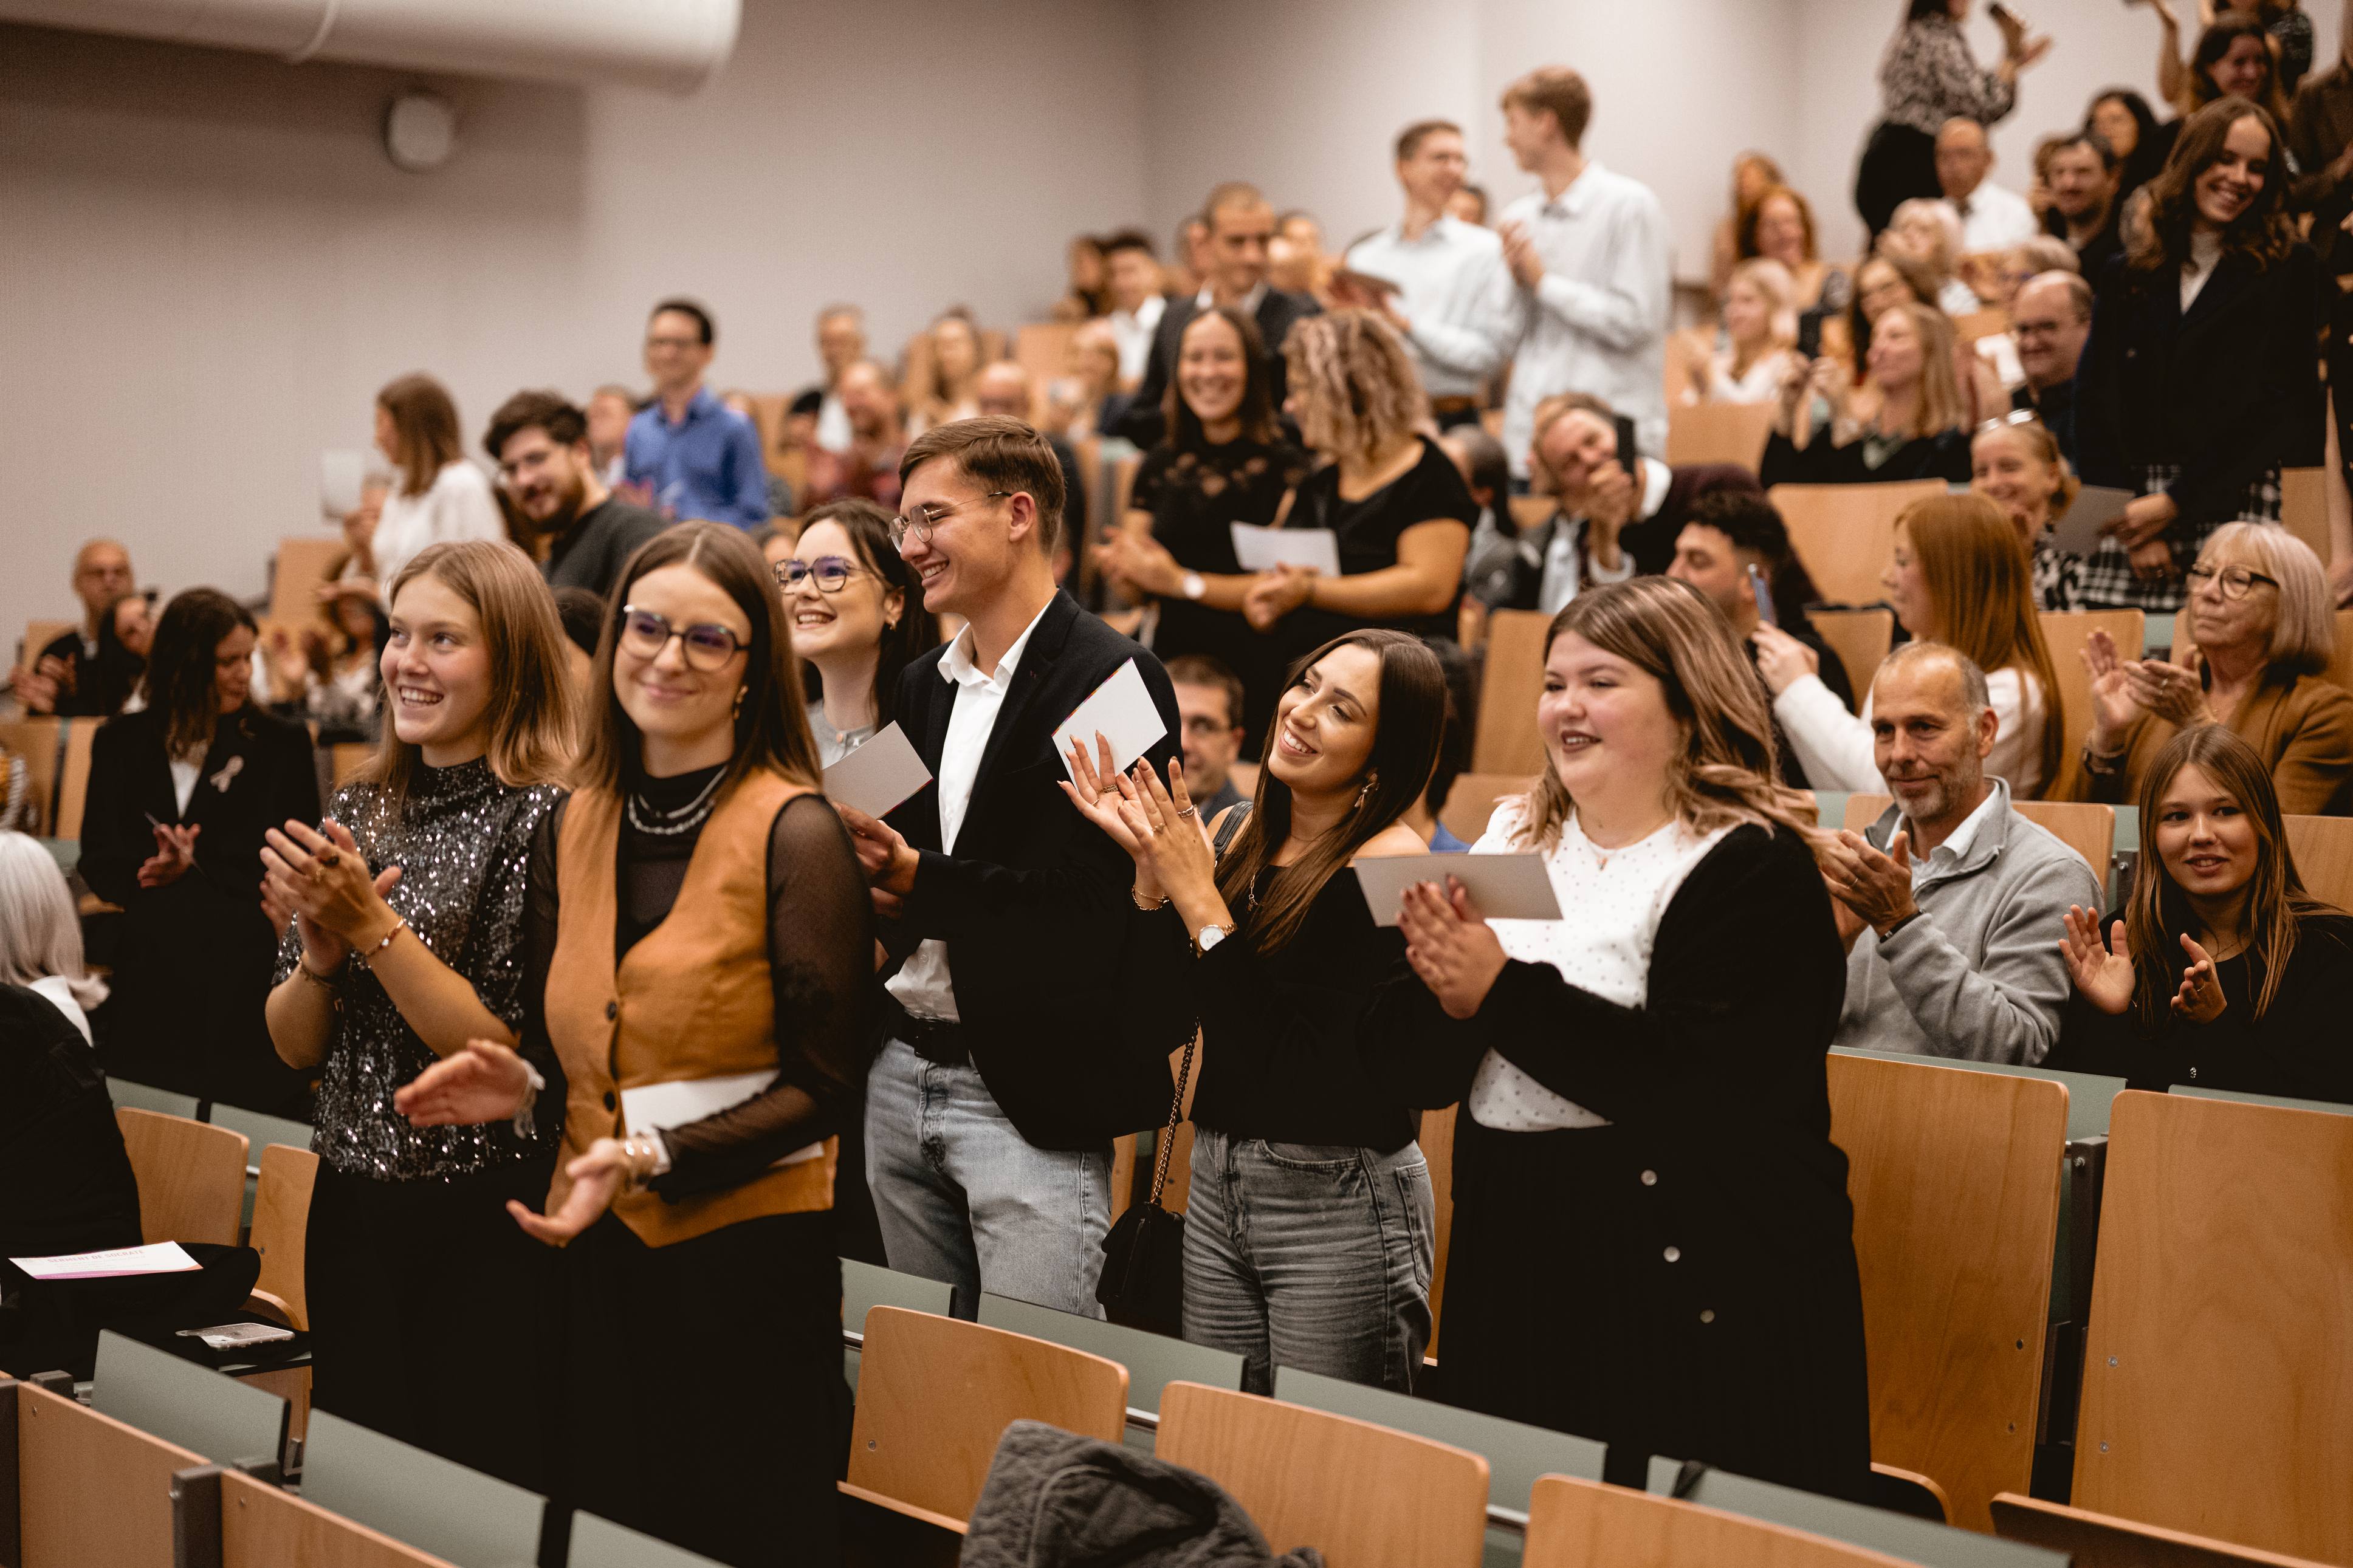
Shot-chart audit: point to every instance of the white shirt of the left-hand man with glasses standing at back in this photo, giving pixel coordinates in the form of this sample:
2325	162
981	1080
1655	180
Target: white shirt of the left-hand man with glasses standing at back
1458	295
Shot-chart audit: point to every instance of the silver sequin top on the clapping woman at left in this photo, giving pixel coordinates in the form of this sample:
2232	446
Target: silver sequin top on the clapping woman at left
462	843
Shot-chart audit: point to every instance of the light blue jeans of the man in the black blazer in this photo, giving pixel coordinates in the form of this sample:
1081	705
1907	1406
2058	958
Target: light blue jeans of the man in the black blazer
966	1200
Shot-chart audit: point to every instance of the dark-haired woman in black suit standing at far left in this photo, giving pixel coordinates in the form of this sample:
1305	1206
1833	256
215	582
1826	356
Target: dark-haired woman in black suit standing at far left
180	796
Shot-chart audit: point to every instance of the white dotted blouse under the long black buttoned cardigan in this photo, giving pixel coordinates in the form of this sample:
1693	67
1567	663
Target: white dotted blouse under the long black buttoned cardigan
1611	909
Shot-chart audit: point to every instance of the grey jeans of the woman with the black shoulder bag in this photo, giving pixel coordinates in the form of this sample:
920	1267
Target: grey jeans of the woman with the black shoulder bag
1312	1257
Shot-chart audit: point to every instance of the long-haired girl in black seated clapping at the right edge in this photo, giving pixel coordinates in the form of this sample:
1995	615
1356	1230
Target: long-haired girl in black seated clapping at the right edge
2222	972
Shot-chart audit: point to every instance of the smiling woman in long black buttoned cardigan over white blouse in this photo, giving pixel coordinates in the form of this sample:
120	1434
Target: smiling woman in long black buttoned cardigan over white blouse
1653	1242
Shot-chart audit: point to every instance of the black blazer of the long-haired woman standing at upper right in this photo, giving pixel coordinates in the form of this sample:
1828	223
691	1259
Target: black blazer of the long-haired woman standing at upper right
2225	391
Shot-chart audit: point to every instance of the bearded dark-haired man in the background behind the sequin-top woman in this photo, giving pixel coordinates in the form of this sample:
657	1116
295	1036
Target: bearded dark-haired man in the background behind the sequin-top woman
580	532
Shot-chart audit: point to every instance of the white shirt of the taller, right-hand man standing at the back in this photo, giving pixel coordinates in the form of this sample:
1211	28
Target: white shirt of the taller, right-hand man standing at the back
1597	321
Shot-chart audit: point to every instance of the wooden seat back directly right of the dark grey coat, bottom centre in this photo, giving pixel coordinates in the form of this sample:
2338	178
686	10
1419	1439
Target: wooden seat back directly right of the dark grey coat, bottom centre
1364	1496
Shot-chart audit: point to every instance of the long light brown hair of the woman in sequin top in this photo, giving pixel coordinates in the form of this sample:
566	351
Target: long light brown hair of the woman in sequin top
531	716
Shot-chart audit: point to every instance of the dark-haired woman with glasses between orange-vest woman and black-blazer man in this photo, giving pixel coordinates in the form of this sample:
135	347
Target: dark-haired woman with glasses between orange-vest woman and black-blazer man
858	619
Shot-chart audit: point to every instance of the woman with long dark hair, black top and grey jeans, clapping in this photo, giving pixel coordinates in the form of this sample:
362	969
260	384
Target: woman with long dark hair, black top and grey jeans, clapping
1309	1219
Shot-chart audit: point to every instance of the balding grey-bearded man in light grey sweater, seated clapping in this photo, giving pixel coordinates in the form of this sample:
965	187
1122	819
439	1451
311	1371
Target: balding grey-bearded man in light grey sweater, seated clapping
1949	902
